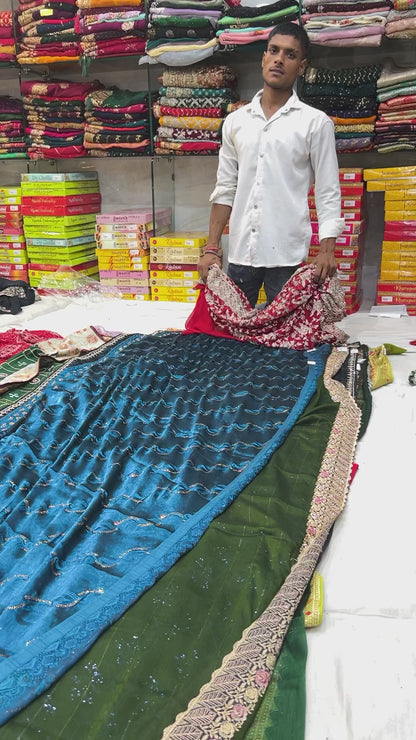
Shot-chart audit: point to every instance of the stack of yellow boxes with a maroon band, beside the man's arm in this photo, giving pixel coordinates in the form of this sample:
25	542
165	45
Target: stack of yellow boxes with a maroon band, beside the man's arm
174	261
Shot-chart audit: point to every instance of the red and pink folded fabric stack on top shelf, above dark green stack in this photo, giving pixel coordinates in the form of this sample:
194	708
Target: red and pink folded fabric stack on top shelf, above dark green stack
110	29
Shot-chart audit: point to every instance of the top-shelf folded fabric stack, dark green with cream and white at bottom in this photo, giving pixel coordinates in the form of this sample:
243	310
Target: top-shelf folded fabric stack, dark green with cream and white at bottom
182	32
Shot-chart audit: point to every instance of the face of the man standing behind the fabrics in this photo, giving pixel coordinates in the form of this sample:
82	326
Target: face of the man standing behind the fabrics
282	62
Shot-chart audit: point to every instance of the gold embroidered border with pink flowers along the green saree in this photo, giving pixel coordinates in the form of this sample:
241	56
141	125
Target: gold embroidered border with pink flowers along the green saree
223	704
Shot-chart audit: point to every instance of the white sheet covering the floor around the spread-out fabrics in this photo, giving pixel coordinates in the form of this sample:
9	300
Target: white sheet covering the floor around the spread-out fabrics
361	669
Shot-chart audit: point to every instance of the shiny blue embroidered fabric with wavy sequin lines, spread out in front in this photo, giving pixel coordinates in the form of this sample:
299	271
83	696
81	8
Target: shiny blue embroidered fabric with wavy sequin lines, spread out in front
114	468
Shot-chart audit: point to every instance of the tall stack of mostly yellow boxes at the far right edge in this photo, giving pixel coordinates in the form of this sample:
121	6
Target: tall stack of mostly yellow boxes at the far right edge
396	283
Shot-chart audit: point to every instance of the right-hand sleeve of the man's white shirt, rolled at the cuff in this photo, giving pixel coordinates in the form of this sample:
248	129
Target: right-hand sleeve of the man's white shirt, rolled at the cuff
327	188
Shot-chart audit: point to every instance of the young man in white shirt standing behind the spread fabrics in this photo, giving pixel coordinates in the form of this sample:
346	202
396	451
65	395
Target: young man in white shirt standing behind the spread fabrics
273	150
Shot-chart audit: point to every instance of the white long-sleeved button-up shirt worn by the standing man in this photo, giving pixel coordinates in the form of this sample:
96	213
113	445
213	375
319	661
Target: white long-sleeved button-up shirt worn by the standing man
265	171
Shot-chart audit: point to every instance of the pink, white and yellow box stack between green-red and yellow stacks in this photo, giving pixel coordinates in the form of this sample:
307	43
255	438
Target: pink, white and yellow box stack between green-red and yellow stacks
123	249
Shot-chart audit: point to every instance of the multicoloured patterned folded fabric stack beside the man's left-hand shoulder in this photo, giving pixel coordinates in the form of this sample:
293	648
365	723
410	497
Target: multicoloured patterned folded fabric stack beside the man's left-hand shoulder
191	109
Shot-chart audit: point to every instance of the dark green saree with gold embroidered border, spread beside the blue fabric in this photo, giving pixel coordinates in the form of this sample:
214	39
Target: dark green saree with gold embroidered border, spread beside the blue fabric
147	667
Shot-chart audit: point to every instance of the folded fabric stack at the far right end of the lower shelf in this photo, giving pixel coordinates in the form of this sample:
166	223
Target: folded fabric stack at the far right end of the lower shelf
396	116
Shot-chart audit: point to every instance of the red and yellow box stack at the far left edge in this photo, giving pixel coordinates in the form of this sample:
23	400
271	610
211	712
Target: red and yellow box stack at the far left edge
13	253
